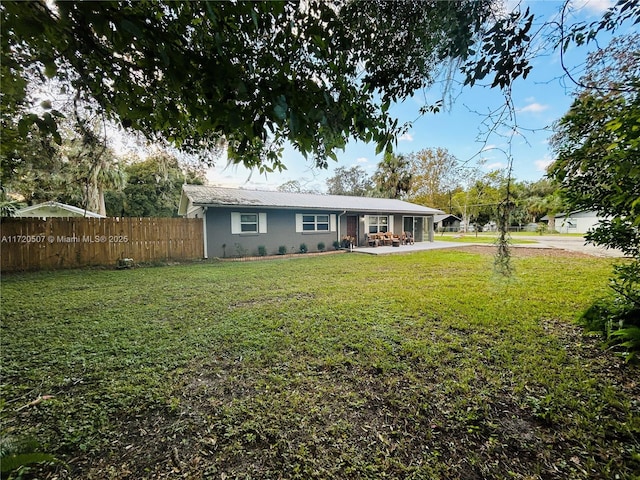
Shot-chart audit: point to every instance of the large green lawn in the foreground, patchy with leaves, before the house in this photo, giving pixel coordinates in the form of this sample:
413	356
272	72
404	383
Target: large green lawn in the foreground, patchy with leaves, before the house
422	366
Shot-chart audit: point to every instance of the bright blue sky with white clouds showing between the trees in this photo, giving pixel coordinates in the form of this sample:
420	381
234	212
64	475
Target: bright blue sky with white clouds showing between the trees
542	98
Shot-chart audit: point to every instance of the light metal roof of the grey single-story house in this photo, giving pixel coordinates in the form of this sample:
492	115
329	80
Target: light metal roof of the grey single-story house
209	196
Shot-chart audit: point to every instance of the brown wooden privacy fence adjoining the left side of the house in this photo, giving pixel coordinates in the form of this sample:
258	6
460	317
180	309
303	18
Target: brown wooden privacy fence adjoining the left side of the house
33	243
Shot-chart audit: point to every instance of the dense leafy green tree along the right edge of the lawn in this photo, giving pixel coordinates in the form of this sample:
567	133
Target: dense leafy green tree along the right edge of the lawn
597	143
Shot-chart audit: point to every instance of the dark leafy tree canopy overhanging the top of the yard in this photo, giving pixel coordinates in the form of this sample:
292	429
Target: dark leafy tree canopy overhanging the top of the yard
252	75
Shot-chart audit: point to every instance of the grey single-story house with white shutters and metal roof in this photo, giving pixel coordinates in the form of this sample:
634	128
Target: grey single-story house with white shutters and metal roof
238	222
